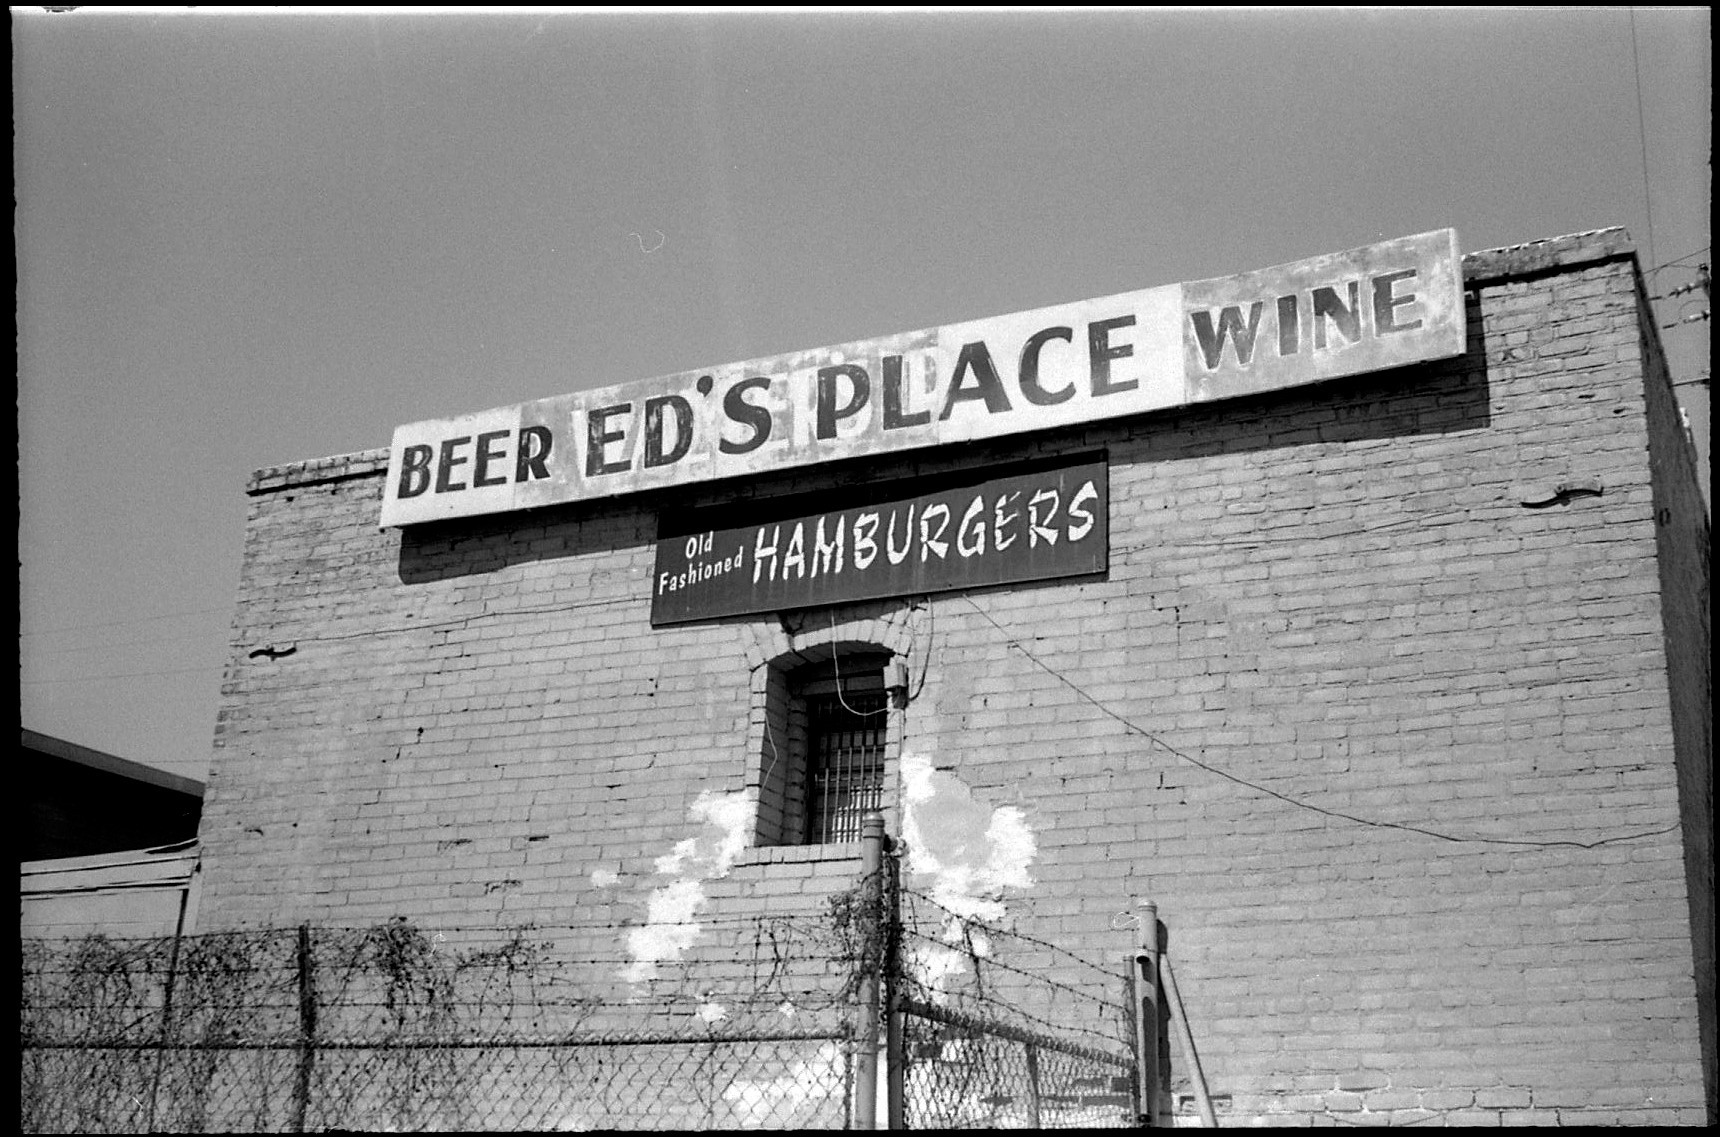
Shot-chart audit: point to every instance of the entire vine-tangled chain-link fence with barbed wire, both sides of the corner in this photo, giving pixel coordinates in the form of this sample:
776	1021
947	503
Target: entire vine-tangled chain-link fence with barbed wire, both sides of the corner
400	1029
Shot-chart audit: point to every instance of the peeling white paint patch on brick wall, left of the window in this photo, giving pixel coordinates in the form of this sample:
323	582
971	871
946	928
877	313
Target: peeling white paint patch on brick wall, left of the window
670	928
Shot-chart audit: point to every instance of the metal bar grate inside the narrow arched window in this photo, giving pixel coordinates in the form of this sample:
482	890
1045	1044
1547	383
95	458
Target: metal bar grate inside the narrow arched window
845	770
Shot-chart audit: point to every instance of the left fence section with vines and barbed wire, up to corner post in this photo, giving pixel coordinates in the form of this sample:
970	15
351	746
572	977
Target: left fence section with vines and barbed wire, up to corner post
390	1031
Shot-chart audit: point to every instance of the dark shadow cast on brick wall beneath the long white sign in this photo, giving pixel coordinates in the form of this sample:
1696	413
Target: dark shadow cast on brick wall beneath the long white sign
1401	403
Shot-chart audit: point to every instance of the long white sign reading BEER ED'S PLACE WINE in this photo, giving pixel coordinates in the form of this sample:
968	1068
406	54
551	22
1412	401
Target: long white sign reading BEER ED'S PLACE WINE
1344	314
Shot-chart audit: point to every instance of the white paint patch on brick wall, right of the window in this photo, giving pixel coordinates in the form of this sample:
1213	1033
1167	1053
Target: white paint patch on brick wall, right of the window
969	854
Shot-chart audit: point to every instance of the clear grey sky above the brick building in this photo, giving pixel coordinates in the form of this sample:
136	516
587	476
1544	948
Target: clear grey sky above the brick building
249	238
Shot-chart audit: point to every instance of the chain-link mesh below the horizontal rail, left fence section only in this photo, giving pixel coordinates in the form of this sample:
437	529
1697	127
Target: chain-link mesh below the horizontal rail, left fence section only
744	1081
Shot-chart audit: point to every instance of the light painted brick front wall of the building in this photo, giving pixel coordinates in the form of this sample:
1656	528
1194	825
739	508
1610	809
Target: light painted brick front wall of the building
1372	704
